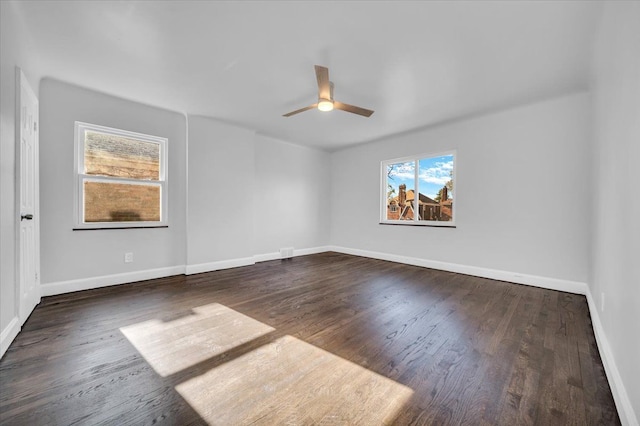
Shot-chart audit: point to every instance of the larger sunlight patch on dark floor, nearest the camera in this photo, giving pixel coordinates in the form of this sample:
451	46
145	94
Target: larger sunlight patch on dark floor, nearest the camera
289	381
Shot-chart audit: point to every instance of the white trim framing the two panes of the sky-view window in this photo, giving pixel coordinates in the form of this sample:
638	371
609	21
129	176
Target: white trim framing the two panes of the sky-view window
416	158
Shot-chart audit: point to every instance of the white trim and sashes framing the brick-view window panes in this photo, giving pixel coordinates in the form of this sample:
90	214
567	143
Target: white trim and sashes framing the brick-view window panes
79	178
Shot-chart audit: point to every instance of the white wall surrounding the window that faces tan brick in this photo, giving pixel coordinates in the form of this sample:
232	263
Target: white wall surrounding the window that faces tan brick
68	255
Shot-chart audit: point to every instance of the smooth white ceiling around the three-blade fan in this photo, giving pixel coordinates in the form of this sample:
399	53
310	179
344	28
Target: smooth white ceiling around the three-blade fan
414	63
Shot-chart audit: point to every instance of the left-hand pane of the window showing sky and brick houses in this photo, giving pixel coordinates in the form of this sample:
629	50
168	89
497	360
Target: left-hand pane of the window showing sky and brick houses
400	190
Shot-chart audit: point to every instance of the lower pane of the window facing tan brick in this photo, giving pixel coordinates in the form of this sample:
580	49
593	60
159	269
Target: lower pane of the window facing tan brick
121	202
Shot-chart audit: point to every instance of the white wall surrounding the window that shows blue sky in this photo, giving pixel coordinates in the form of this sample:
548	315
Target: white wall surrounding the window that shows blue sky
521	197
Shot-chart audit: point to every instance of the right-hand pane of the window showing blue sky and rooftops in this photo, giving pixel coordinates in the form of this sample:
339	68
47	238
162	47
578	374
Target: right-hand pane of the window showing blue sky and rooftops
435	180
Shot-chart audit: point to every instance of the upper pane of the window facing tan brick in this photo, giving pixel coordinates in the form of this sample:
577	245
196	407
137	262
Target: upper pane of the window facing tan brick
113	155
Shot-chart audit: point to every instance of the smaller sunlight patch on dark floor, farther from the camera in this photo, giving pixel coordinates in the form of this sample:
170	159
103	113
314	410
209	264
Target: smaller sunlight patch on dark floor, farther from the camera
170	347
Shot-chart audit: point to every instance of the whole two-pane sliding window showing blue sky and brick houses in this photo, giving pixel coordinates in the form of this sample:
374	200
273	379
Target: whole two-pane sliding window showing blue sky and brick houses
429	176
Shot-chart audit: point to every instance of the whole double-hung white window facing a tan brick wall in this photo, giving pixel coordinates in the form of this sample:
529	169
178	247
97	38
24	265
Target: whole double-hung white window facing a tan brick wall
121	178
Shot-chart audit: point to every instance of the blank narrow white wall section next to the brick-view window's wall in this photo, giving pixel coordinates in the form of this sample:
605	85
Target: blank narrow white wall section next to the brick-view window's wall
221	175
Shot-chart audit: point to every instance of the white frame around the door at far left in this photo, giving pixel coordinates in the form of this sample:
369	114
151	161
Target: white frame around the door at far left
23	83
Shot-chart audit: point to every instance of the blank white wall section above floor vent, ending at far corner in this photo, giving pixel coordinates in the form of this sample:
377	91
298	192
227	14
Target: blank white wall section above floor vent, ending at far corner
291	203
